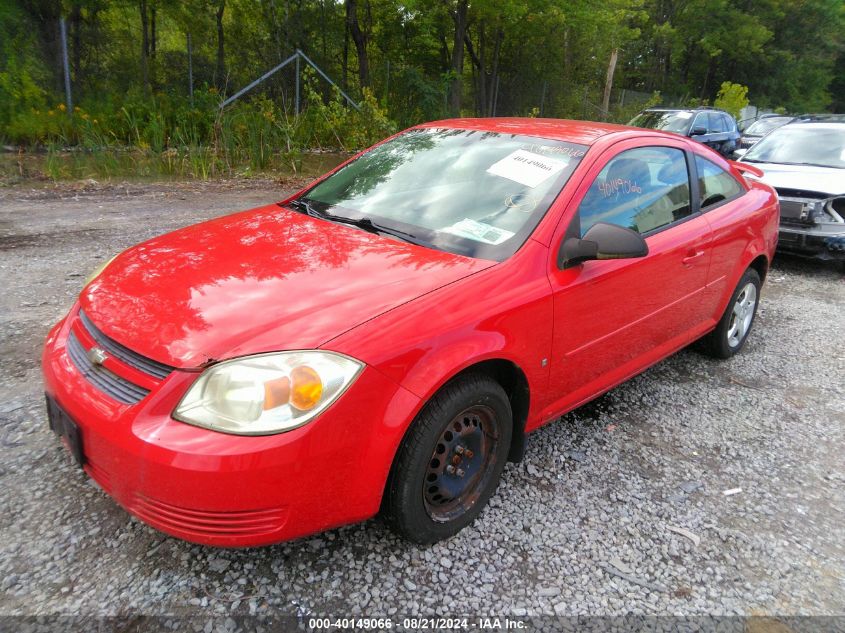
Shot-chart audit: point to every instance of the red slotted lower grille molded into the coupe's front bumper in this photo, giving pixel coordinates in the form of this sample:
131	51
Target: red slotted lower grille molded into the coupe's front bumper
207	523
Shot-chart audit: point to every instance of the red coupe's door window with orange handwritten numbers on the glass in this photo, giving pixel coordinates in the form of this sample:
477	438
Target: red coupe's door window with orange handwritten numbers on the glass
643	189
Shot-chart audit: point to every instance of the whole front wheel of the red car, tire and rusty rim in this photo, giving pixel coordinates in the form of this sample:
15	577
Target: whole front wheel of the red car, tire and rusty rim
466	428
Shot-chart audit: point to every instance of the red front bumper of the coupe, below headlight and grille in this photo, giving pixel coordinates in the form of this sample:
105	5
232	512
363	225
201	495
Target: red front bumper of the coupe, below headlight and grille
228	490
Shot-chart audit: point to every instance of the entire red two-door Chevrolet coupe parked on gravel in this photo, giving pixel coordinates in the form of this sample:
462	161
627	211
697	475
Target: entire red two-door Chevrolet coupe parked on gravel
386	338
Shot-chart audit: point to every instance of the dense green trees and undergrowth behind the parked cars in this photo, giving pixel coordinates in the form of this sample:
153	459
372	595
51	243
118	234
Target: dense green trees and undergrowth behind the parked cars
520	57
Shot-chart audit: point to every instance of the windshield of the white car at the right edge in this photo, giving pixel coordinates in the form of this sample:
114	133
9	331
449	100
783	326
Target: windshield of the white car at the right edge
802	144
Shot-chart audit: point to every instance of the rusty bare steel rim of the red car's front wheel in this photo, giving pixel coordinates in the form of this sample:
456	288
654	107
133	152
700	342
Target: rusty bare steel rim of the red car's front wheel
462	463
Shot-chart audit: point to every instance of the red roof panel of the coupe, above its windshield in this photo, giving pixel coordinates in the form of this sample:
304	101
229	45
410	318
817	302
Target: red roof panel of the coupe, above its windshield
581	132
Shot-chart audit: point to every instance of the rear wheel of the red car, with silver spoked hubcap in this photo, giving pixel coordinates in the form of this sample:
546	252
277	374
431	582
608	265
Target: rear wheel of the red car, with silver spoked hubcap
733	328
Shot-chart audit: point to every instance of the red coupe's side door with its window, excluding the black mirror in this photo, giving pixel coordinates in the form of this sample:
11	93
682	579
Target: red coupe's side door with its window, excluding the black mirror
613	318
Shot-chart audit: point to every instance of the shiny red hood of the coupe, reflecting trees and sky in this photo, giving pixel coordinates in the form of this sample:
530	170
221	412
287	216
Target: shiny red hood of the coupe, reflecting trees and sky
262	280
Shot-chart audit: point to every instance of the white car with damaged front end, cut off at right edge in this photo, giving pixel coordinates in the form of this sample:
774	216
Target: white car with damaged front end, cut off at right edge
805	162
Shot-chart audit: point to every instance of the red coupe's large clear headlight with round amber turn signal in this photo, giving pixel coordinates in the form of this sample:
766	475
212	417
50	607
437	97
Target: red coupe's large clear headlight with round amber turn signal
266	393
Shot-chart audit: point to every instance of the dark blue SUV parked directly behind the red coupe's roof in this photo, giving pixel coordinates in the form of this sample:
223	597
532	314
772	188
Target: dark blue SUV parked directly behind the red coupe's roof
710	126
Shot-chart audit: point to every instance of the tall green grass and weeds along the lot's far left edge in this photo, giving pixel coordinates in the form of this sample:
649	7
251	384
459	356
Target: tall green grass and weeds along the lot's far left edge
164	136
